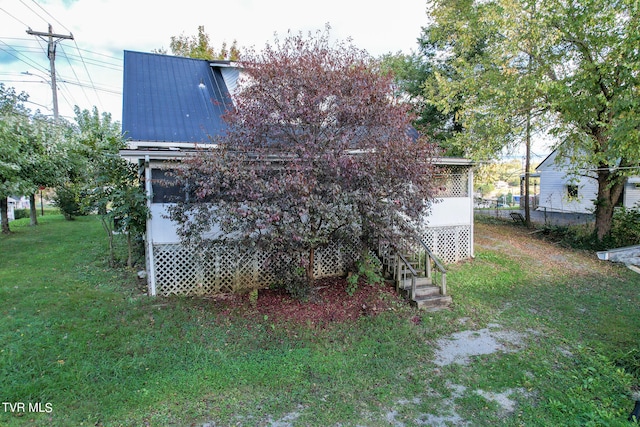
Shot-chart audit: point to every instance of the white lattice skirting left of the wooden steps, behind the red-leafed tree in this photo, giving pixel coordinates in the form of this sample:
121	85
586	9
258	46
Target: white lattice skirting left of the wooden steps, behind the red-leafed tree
181	271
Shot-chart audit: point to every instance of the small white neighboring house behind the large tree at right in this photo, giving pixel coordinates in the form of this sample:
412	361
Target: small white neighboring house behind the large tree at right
562	192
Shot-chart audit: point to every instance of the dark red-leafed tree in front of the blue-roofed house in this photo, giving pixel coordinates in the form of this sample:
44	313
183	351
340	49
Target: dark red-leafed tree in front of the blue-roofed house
317	148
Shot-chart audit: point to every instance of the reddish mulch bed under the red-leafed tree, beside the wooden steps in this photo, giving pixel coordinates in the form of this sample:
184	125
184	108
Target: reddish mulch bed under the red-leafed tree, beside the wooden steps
327	303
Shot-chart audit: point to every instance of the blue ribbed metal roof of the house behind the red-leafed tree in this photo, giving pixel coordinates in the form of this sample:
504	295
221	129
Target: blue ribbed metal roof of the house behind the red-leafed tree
172	99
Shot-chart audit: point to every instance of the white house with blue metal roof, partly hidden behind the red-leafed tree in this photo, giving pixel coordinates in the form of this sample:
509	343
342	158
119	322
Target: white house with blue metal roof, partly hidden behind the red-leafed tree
170	106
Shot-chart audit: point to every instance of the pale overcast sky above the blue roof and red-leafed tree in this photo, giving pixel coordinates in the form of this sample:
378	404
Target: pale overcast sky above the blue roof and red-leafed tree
89	67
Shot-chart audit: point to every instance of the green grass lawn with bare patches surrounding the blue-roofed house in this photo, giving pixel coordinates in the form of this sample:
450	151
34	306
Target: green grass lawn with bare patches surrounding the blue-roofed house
81	340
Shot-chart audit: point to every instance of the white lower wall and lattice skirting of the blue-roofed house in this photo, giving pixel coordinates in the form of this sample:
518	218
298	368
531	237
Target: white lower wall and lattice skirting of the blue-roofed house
178	270
